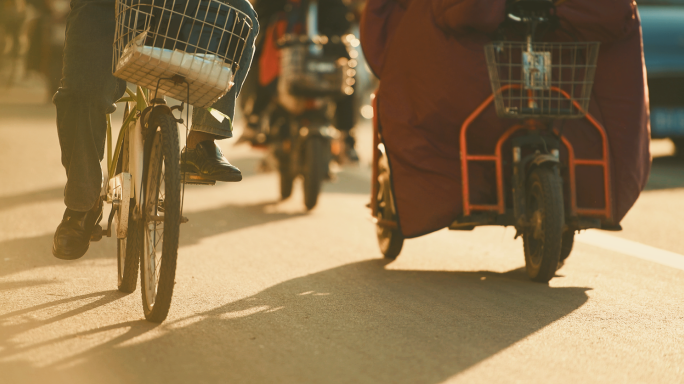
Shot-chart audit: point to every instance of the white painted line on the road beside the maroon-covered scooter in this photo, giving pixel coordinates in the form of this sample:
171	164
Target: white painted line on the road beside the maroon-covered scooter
631	248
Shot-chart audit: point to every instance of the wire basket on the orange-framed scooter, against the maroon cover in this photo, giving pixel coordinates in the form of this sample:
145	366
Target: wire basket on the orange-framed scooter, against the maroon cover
552	80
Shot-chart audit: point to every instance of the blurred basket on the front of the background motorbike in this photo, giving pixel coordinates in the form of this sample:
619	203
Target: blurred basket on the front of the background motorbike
308	71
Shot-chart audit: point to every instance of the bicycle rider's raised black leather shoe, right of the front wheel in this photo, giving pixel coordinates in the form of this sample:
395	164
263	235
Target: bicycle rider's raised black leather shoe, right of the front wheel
208	161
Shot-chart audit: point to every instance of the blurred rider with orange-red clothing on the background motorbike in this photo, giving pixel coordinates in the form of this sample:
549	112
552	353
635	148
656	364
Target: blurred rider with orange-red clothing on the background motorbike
335	19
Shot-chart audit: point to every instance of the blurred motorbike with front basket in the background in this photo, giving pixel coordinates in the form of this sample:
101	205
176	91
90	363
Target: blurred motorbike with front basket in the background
314	71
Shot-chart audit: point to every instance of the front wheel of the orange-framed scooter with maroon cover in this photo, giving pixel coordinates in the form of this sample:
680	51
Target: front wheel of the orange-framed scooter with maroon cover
542	238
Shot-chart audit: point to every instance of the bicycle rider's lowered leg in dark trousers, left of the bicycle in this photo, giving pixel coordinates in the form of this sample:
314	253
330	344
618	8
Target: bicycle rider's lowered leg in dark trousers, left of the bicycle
87	93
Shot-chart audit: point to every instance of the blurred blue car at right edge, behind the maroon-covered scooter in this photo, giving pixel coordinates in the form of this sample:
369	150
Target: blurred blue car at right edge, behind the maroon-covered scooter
663	29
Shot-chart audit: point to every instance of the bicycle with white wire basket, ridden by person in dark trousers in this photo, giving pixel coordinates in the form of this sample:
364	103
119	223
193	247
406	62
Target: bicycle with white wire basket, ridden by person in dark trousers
179	50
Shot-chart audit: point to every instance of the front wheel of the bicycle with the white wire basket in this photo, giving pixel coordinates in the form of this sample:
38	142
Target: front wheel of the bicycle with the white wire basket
160	217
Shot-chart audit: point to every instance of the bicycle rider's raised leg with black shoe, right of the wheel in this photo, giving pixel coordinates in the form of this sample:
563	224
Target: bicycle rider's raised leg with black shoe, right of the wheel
202	154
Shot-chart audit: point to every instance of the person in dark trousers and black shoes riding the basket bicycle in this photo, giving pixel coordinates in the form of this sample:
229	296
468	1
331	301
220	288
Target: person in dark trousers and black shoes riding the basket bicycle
88	93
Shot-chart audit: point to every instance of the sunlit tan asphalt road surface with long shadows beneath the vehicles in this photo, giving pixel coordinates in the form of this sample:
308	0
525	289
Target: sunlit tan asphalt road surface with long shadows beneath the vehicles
269	293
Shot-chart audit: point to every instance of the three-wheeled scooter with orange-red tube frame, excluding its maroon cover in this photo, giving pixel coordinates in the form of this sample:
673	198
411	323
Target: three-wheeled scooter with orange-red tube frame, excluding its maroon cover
538	83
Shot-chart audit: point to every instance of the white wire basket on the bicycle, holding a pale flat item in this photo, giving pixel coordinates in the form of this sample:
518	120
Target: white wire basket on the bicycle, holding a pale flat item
172	45
